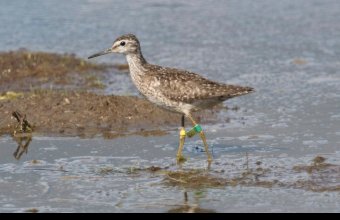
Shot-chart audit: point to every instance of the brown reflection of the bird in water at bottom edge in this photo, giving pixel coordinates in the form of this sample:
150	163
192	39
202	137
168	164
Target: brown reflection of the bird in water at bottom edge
188	207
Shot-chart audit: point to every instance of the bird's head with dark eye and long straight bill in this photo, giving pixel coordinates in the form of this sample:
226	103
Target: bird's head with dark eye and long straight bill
125	44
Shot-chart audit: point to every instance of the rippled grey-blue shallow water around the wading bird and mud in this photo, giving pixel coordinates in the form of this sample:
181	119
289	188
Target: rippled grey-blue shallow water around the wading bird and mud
288	51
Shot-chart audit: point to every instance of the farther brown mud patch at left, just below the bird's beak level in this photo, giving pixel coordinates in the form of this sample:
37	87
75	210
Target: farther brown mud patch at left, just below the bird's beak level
25	70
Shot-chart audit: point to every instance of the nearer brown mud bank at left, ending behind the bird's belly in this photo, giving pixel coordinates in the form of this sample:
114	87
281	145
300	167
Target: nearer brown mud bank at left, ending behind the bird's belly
84	114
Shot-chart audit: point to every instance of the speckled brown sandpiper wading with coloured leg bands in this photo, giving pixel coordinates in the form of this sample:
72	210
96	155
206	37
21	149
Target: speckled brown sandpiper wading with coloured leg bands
174	89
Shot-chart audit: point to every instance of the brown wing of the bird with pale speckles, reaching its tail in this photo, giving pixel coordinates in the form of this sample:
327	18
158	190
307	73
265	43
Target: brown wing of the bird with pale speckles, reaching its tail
188	87
